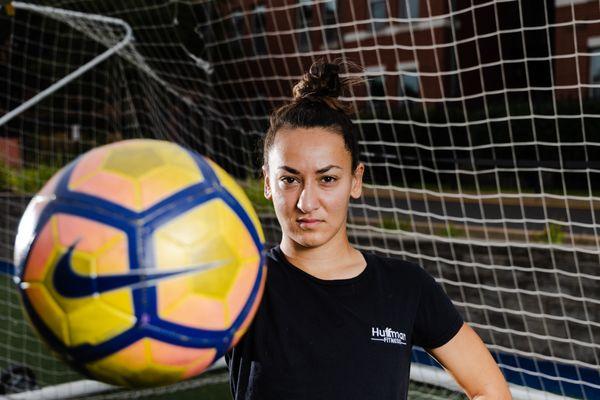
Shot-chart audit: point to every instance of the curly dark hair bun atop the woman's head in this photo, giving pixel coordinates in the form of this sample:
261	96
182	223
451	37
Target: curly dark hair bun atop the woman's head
321	80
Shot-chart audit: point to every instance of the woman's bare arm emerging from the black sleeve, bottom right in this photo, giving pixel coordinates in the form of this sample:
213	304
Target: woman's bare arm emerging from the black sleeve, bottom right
467	359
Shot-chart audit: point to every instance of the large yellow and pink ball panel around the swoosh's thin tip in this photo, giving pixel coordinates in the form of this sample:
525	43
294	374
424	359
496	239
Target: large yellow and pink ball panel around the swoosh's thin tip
208	233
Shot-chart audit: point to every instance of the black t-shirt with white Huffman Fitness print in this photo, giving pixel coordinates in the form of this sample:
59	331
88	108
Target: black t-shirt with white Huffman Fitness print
339	339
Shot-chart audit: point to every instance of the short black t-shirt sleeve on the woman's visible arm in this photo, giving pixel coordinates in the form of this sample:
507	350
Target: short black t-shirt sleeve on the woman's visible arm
437	320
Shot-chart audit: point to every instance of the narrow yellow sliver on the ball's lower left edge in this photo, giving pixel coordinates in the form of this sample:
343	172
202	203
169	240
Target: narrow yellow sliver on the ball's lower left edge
49	312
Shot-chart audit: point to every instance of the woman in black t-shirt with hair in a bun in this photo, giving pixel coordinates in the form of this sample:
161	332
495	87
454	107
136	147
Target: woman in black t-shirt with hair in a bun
335	322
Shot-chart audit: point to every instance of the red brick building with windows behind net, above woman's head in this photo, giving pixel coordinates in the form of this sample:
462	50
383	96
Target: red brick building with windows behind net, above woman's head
392	41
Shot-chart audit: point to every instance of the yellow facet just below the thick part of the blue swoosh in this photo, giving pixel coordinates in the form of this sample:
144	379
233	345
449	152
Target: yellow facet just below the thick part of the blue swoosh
96	321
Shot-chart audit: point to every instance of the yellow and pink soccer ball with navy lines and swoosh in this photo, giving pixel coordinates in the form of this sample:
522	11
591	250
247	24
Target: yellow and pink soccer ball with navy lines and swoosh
140	263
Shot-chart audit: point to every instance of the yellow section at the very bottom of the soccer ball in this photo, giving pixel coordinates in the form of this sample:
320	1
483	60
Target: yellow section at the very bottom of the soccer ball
133	366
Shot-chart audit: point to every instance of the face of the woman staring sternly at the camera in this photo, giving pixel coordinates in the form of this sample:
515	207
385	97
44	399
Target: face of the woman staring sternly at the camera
310	181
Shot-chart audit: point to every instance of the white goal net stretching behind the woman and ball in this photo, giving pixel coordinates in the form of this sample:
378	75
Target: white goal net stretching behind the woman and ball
478	131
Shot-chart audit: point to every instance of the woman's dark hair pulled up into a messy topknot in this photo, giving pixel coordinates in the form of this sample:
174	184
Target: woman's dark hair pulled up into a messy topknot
316	104
